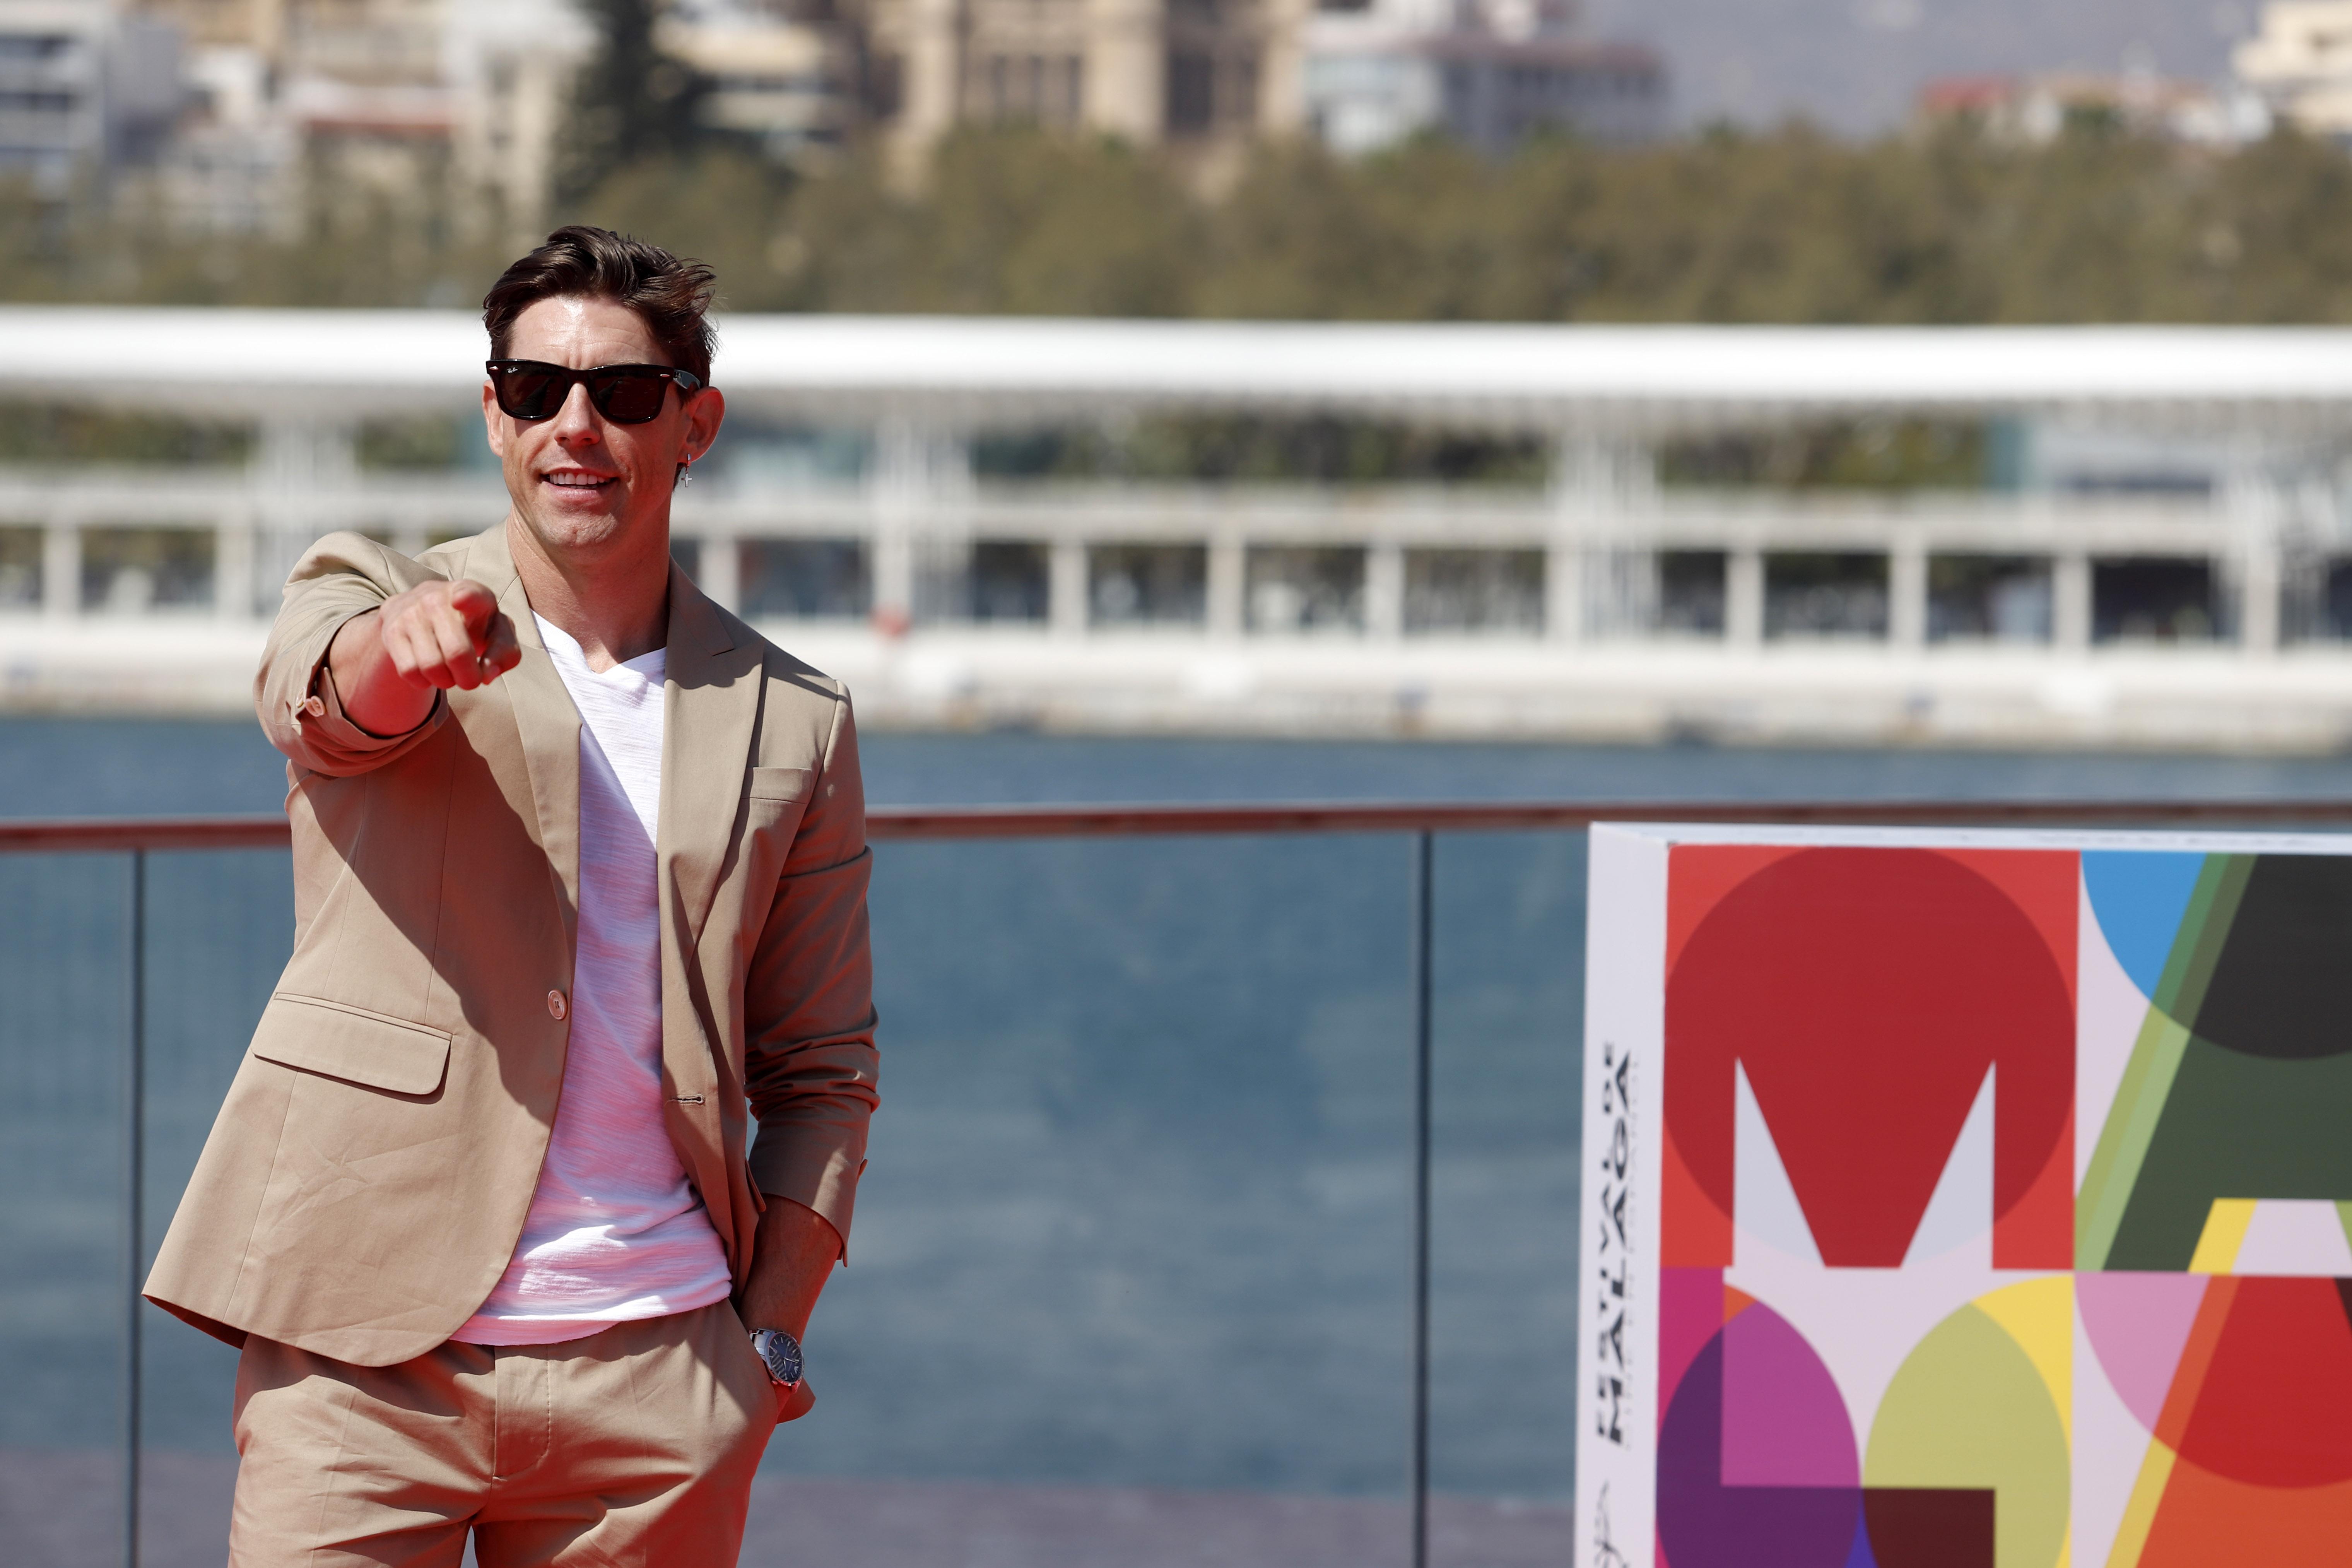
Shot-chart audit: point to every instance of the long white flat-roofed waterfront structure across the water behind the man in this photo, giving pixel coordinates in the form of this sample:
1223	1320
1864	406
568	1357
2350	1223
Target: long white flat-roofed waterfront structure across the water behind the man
2167	570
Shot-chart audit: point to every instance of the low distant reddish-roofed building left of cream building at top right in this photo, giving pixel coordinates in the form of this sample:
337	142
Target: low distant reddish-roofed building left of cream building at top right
2038	107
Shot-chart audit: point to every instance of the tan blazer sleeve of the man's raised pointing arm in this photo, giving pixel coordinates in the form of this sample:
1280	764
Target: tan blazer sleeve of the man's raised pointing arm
340	577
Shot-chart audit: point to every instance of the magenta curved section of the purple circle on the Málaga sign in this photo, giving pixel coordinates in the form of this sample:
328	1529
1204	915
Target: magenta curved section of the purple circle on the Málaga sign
1784	1419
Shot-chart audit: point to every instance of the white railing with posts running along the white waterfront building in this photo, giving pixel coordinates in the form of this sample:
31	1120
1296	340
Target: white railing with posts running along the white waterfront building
243	532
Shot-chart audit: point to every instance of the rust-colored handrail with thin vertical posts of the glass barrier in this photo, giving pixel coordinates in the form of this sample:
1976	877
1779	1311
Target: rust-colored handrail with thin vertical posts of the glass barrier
138	838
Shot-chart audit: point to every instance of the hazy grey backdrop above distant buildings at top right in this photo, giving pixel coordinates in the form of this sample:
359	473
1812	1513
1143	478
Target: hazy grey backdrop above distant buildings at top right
1857	65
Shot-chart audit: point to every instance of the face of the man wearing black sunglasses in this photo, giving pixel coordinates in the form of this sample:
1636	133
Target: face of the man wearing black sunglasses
580	481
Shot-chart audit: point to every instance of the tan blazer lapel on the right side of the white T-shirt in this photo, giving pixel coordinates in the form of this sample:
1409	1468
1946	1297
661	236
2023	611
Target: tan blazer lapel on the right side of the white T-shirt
709	725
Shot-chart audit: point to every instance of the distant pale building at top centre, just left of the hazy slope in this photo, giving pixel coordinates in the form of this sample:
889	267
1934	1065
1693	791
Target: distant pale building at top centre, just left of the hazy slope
1485	74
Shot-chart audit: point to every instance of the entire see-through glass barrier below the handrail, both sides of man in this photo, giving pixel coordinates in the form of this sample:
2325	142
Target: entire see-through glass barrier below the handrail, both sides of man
1132	1271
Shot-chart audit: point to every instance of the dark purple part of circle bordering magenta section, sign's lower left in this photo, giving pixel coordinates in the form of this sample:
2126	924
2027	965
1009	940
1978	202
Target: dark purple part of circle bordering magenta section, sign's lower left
1706	1525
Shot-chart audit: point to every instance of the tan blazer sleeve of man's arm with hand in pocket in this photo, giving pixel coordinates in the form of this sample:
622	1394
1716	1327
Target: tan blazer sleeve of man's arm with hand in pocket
808	1000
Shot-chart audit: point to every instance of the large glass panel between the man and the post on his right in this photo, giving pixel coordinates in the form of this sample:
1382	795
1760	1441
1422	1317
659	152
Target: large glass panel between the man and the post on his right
1130	1268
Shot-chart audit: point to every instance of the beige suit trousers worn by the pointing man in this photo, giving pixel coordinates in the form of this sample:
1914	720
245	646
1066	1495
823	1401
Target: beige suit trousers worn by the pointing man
632	1447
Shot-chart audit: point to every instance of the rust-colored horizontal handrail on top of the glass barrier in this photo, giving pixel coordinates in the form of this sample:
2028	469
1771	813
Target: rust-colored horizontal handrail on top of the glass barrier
942	824
